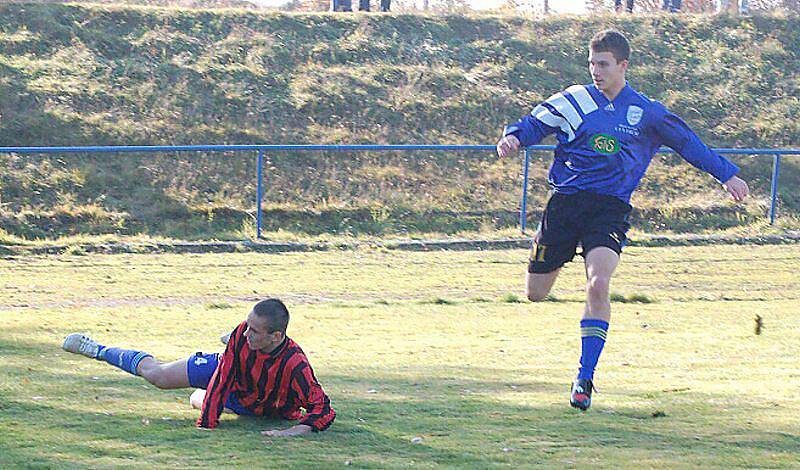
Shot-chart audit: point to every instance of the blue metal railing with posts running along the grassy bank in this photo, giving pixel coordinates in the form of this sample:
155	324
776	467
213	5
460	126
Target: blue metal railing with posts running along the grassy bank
261	149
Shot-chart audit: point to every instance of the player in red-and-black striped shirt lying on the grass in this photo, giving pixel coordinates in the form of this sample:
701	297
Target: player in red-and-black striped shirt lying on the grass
261	373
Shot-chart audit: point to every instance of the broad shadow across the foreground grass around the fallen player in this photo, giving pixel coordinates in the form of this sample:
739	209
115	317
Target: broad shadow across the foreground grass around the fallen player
463	417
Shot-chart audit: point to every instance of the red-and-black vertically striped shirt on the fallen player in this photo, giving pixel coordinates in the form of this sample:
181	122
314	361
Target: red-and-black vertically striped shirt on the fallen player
275	384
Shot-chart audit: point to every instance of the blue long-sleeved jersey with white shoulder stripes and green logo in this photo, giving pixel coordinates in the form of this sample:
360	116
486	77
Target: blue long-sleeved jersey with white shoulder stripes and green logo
606	146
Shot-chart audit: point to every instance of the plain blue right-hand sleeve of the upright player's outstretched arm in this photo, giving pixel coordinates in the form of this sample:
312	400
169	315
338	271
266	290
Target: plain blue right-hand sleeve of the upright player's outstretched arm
677	135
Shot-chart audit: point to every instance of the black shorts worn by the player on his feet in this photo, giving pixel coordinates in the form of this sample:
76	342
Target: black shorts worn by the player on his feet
589	219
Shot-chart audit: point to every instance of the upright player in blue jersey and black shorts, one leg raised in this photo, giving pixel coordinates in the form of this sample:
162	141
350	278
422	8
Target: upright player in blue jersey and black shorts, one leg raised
607	134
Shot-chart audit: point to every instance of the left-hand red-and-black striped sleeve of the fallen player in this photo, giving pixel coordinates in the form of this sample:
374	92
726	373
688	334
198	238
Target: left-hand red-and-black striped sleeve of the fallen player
222	381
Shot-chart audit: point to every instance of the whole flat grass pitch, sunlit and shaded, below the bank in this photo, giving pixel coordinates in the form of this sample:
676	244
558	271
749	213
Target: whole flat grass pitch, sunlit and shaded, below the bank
436	345
